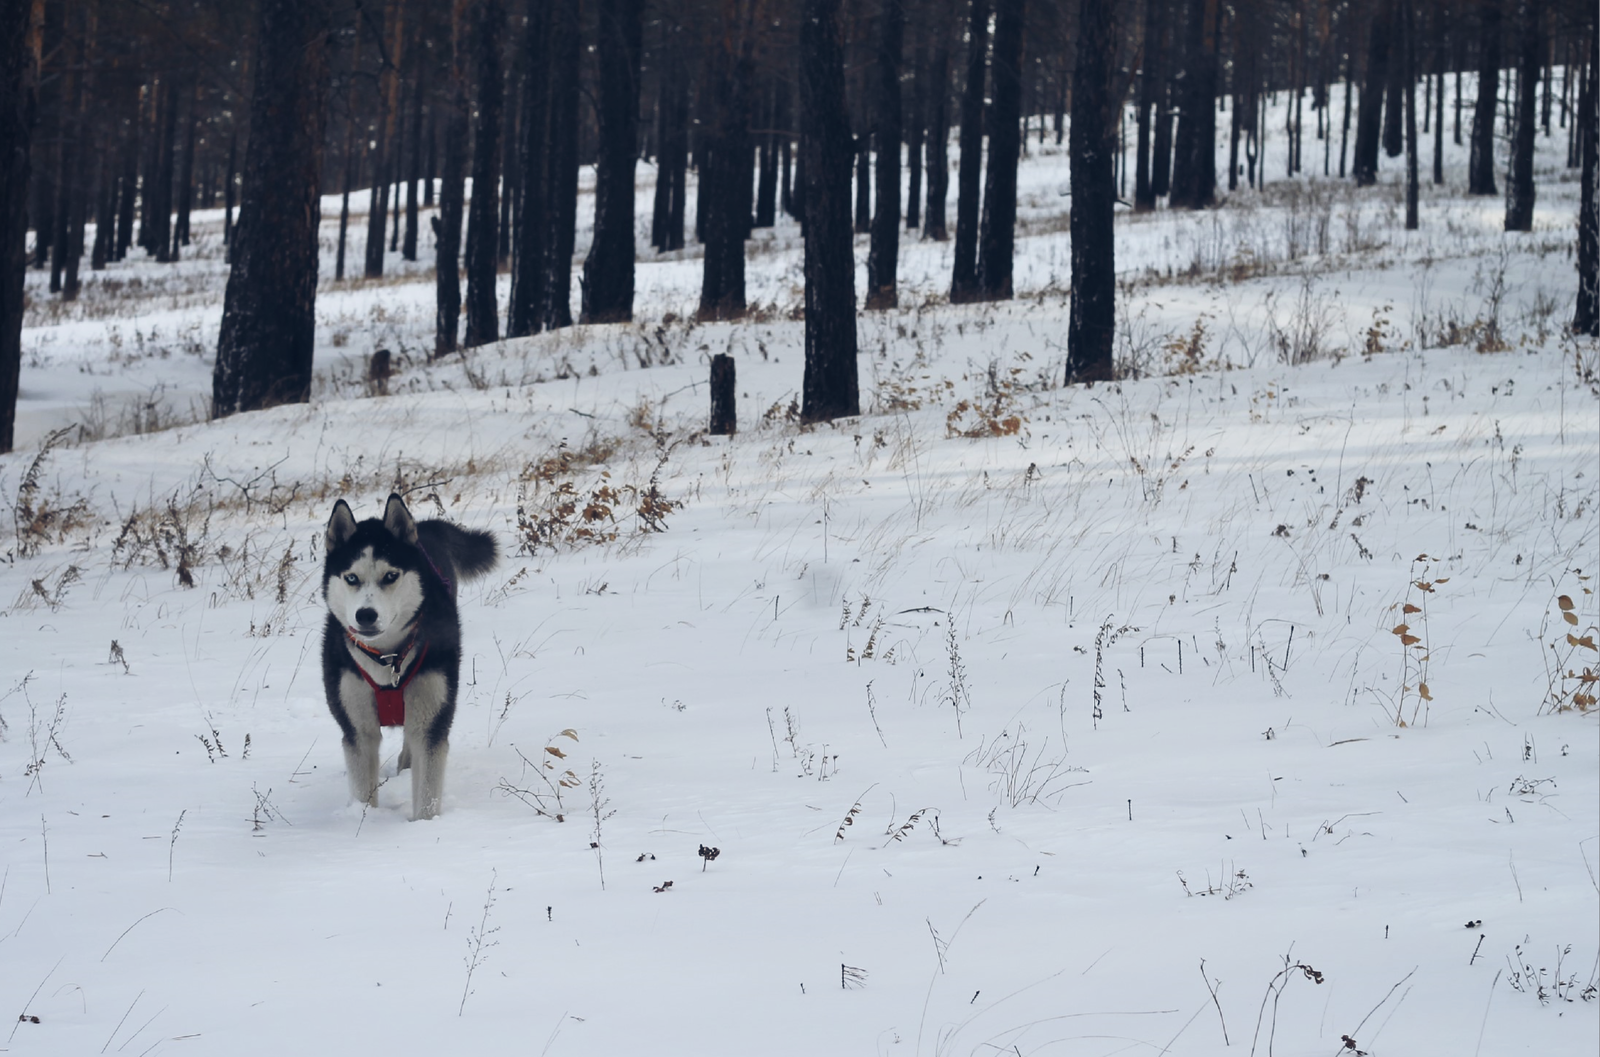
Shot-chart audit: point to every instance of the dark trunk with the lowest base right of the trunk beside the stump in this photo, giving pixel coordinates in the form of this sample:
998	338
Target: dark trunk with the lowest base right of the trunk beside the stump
1092	321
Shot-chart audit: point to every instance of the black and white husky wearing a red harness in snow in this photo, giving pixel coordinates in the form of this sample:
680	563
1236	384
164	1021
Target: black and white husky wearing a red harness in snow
391	653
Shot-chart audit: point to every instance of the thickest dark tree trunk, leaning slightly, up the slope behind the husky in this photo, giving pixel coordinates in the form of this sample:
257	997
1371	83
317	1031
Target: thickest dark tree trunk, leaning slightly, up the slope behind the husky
265	349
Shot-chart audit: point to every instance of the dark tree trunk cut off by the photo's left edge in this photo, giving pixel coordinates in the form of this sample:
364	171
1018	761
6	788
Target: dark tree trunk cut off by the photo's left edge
18	102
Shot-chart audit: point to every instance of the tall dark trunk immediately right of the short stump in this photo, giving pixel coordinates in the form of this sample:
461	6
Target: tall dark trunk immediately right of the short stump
831	388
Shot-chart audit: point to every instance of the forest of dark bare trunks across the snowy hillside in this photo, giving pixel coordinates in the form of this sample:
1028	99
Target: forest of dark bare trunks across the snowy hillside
126	116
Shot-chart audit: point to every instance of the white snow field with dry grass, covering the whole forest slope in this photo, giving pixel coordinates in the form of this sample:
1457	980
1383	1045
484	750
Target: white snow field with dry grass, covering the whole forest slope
1025	719
